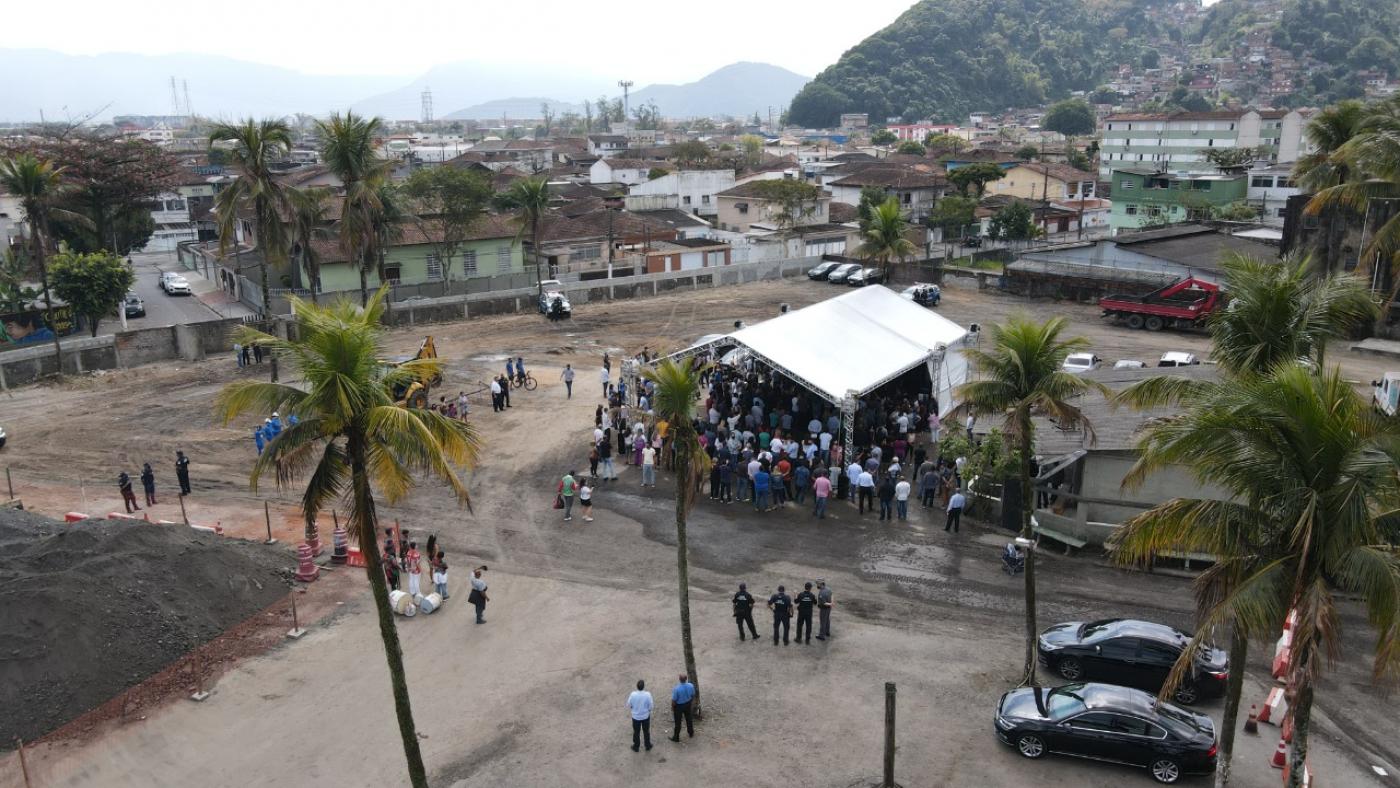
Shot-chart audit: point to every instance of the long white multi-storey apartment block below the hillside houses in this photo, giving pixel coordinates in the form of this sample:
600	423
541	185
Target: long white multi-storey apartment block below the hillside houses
1179	142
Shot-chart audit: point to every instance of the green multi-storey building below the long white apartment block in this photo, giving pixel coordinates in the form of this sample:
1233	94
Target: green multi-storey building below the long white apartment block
1144	198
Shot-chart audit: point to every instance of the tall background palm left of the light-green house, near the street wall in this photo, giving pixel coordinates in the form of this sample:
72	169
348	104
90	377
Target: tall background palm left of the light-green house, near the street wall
255	146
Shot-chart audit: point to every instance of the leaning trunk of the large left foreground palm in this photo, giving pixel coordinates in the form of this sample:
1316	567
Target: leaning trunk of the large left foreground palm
366	527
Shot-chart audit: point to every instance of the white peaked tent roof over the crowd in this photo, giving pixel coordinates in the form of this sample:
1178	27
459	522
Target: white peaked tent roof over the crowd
855	342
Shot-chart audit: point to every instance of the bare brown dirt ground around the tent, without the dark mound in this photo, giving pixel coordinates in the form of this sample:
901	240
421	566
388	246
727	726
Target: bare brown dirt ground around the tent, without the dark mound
582	611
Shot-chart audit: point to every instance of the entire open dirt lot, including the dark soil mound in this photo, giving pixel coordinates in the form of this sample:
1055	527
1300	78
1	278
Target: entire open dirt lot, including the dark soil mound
114	625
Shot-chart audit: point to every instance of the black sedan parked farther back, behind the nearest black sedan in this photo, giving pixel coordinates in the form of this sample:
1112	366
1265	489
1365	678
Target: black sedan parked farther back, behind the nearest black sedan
1135	654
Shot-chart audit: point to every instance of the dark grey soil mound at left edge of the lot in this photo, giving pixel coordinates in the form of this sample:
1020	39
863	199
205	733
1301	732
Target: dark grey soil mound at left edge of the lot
93	608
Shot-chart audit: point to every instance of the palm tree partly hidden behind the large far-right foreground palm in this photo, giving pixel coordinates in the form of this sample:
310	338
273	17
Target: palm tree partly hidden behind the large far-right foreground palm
1277	314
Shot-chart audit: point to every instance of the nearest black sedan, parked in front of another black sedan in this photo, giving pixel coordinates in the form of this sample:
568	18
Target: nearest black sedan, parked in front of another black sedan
1111	724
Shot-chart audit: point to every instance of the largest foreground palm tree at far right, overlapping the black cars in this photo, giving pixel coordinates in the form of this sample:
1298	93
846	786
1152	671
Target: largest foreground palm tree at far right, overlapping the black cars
1312	485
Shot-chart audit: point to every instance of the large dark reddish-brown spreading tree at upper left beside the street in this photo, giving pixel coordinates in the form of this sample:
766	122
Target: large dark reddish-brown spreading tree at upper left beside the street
113	183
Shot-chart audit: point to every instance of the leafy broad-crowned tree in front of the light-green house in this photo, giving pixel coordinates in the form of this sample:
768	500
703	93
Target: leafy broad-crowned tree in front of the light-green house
444	204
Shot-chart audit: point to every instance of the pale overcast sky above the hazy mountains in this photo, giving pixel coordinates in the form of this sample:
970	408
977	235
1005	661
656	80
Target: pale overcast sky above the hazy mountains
659	41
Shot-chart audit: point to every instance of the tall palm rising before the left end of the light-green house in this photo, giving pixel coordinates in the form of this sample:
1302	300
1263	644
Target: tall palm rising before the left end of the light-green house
348	146
